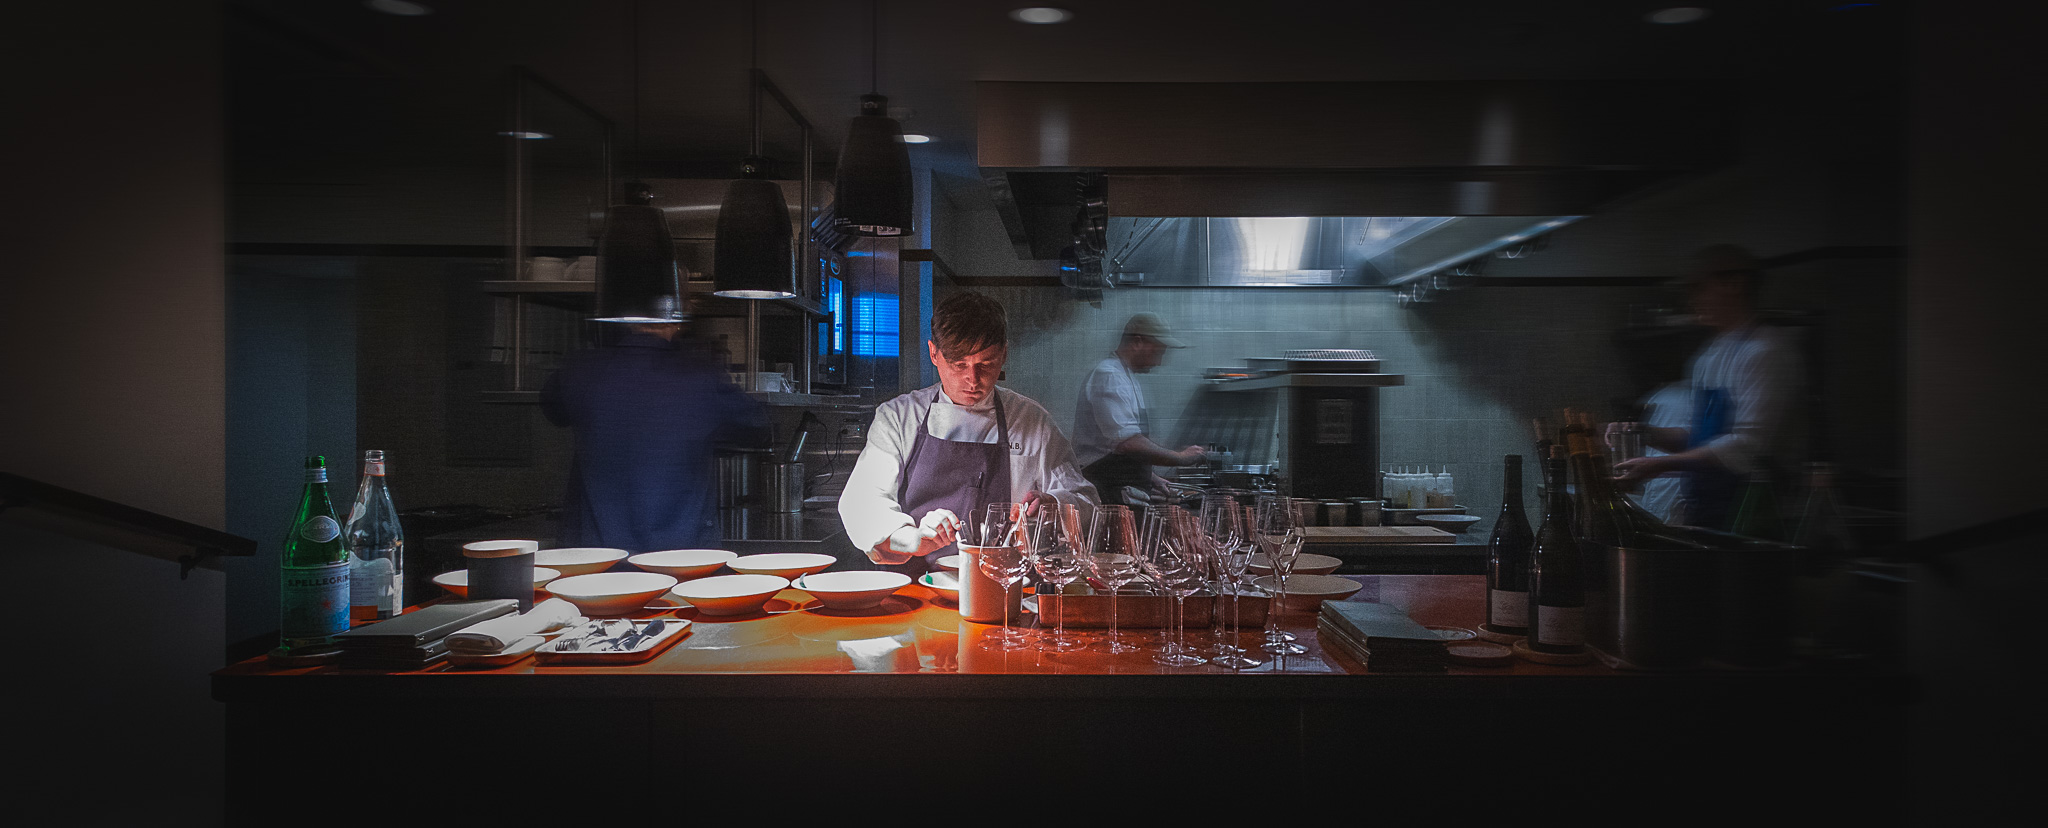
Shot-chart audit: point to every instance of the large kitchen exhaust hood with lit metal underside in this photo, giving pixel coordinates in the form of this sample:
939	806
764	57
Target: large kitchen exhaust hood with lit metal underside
1330	183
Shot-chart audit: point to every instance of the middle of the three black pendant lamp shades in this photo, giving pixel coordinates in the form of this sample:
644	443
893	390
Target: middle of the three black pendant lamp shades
753	257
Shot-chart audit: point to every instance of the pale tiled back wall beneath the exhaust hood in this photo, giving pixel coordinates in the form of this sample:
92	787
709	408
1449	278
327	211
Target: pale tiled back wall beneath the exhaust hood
1480	364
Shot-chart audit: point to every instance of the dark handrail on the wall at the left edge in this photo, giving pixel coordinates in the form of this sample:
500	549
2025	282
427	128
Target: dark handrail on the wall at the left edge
118	526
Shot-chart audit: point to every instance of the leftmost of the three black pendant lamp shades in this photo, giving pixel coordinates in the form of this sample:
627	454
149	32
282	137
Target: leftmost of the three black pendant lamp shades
638	274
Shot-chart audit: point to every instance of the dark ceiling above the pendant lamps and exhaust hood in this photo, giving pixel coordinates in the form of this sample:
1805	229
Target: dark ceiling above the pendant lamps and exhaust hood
335	83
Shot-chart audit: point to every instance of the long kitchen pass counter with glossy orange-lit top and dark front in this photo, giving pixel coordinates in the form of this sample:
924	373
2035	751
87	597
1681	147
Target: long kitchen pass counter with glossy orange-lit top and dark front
800	706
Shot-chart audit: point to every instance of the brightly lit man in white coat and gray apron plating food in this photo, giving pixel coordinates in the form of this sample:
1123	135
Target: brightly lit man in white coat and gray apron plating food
939	454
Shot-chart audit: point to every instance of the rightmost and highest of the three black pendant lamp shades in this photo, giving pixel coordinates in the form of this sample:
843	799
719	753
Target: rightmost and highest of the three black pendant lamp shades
873	181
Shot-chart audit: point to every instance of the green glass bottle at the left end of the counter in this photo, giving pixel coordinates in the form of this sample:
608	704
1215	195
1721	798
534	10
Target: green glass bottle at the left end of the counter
314	579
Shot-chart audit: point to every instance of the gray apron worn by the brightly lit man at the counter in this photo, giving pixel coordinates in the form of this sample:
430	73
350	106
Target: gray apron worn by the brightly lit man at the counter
953	477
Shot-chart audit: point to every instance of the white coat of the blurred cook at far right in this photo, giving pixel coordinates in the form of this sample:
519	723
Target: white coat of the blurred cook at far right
1758	368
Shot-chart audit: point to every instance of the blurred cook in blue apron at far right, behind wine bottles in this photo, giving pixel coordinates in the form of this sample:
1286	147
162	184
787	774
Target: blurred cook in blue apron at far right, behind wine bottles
1746	386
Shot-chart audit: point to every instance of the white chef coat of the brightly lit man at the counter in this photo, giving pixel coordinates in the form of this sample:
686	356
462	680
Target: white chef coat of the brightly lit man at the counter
1039	458
